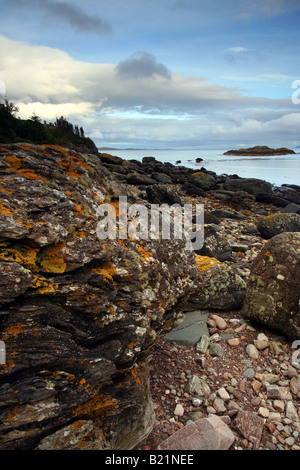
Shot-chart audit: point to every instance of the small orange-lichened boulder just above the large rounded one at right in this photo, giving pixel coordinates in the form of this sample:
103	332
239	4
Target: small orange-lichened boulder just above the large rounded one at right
277	223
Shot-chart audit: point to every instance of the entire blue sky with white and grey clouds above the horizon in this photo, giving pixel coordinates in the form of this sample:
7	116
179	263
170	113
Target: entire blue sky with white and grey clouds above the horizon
157	73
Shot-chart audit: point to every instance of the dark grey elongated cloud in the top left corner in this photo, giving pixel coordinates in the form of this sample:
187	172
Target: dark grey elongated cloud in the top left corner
67	13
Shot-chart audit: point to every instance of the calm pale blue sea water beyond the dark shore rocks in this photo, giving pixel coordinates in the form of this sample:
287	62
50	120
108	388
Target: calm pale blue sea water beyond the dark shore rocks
277	170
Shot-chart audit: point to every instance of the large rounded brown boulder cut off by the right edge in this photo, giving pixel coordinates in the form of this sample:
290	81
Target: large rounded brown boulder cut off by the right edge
273	291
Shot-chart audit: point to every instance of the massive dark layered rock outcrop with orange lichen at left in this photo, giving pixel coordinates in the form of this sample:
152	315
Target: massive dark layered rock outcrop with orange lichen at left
80	314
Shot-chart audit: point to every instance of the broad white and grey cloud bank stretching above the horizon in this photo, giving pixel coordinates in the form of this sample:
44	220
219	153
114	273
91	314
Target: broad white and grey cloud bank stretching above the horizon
150	105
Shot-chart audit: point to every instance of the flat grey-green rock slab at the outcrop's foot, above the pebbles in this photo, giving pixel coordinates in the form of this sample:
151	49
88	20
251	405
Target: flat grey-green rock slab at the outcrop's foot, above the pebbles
190	329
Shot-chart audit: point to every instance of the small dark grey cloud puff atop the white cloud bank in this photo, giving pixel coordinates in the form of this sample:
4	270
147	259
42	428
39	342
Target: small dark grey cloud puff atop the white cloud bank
142	65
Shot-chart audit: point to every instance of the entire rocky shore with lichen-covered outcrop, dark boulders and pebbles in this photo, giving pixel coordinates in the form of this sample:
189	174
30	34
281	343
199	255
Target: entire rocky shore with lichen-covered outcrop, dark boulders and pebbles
84	323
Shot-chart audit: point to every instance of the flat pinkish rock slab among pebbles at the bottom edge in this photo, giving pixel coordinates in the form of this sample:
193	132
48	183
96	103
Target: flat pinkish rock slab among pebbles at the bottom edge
203	434
